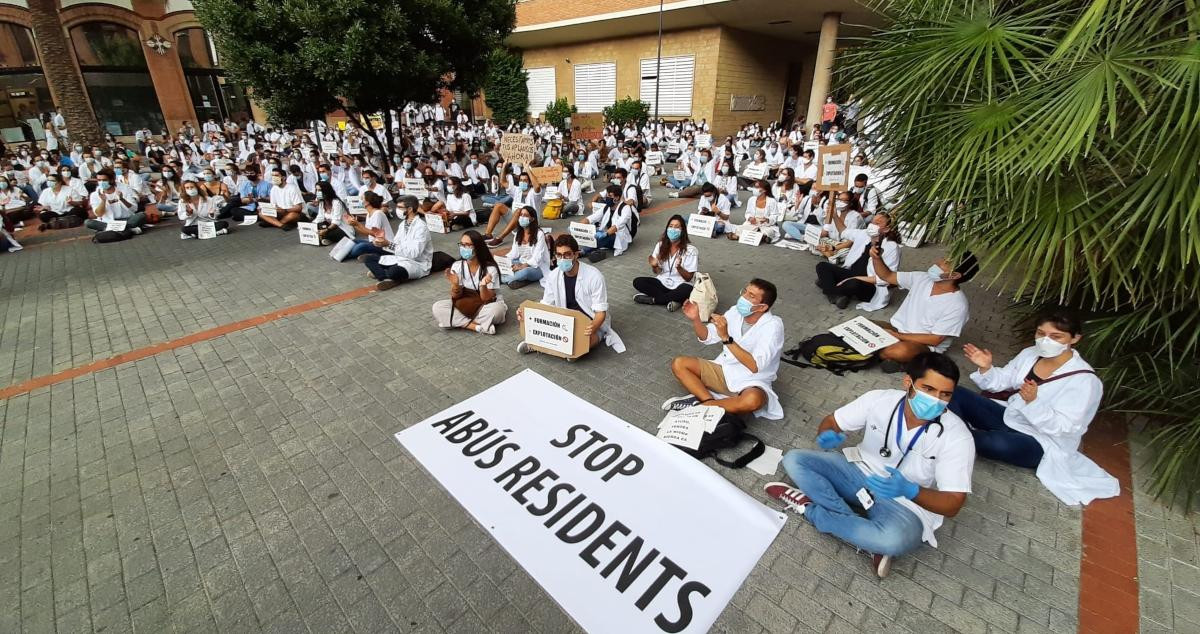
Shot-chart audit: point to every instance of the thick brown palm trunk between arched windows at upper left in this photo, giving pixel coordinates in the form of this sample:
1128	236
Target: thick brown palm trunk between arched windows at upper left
62	76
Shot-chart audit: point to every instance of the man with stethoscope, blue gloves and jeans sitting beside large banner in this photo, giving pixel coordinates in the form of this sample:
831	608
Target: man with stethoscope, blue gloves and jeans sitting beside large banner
911	470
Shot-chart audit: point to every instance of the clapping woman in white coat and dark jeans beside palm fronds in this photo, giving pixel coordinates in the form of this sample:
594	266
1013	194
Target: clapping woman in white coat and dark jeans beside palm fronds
1035	411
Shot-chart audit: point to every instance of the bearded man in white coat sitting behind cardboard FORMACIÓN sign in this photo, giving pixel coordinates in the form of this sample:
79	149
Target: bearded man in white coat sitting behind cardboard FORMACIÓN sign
578	286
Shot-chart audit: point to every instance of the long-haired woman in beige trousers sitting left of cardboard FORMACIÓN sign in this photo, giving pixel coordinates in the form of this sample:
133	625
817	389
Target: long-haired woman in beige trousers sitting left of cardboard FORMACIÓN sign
476	303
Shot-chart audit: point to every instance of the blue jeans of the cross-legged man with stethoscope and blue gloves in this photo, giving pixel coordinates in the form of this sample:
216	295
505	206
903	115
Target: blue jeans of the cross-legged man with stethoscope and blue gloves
831	481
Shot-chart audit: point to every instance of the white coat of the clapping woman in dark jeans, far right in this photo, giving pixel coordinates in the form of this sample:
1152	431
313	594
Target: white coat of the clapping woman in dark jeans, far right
1058	420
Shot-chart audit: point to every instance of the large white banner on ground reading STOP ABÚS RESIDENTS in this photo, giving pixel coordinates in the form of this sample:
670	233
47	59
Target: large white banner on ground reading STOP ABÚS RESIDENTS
625	531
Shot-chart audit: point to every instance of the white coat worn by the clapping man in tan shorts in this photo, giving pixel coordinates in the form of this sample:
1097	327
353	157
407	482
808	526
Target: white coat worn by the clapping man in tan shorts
765	342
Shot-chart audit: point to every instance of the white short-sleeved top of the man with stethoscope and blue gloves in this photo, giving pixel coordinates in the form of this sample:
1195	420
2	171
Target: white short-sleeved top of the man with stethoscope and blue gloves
943	462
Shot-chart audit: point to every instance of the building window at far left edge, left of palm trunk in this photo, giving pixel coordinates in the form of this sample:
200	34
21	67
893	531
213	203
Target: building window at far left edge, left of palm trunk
25	98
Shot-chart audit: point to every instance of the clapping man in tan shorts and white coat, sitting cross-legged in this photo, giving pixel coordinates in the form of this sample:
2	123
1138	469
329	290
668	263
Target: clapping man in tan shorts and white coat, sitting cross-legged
739	381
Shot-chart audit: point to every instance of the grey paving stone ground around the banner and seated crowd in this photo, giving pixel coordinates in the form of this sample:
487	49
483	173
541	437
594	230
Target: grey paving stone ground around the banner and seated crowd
250	483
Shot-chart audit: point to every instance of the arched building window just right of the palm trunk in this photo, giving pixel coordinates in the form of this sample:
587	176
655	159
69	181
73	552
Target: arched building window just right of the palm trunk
115	70
